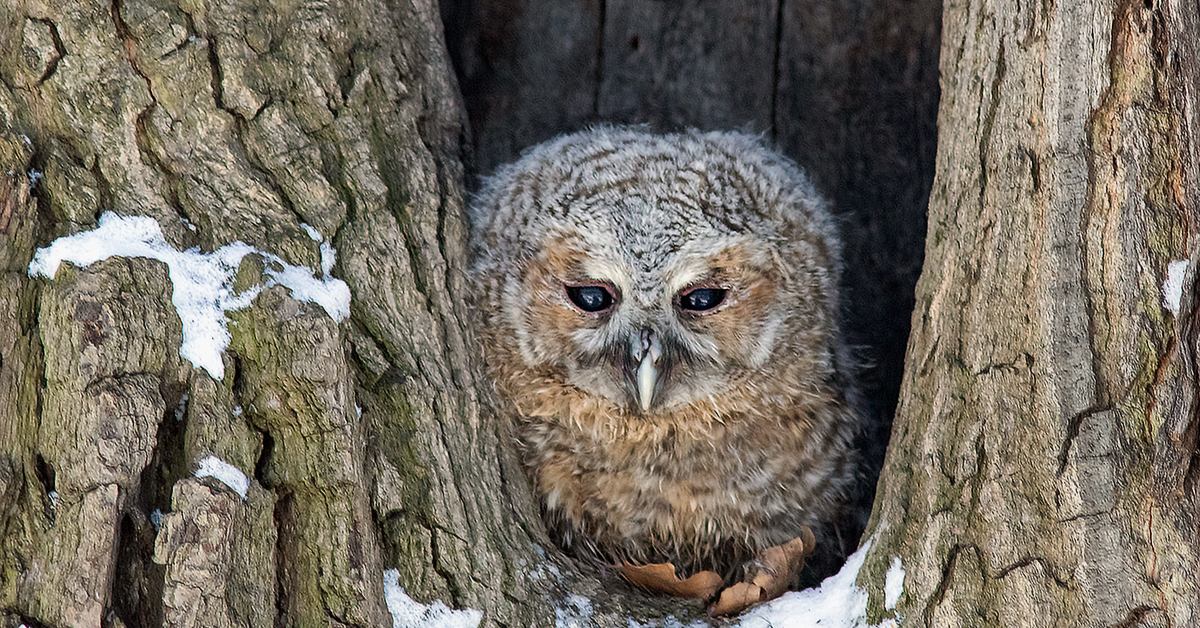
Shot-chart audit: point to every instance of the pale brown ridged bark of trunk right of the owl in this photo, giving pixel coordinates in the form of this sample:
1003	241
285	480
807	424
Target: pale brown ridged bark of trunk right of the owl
1043	463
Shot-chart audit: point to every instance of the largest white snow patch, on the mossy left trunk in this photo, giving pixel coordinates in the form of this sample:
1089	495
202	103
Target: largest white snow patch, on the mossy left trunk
202	283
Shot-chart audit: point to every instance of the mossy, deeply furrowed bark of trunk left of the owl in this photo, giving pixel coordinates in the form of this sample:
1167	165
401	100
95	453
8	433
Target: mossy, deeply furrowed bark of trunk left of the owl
247	119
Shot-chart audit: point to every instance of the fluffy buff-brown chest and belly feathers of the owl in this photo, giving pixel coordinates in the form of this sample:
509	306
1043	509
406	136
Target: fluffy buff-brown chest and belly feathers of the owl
682	487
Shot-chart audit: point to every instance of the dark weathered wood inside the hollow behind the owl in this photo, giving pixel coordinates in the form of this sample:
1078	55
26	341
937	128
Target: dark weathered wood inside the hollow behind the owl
848	89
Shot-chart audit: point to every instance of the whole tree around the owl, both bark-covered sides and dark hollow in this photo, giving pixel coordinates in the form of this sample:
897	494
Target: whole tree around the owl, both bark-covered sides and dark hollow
1043	457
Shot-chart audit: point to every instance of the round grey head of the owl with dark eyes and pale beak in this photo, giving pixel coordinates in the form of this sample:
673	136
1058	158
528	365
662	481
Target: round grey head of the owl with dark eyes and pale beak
657	272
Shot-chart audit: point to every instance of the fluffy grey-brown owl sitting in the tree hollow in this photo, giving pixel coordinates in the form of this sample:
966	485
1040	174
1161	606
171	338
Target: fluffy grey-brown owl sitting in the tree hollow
663	314
